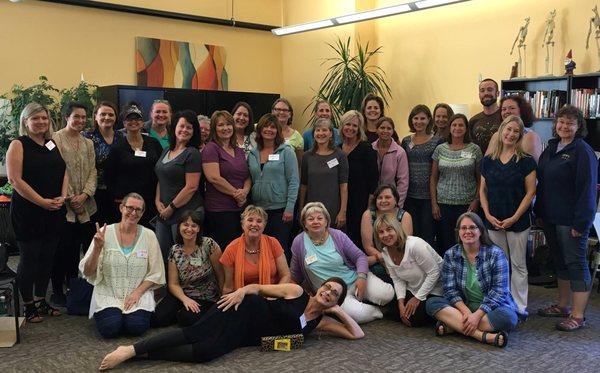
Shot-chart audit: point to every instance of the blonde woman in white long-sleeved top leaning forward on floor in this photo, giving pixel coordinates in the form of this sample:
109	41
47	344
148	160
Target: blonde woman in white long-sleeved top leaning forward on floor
413	265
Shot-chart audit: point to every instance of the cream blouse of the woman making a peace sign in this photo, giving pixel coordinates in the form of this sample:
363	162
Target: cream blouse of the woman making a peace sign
118	275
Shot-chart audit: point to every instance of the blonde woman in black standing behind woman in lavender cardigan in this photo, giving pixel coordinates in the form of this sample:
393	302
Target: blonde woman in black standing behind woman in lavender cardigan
362	171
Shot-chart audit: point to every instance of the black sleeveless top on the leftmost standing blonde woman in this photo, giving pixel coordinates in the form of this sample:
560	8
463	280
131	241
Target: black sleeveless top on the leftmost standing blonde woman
43	170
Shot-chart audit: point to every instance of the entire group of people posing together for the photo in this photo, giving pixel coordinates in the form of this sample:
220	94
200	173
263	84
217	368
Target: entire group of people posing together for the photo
256	230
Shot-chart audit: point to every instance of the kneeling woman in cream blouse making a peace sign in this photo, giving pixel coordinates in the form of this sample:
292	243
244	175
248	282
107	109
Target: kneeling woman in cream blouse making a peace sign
123	304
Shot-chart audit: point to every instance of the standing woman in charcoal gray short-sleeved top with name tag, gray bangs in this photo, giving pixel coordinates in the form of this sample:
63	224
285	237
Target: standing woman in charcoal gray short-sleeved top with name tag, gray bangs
324	174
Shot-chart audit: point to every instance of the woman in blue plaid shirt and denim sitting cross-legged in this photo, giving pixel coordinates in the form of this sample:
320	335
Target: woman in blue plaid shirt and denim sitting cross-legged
477	300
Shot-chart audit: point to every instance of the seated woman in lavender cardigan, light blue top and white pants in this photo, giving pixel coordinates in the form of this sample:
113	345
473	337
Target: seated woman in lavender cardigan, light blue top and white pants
321	252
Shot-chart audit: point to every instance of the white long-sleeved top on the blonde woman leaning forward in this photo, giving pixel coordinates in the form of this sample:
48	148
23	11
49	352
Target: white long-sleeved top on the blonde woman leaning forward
419	271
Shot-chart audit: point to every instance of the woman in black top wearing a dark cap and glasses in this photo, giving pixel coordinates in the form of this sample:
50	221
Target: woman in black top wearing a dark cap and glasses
130	165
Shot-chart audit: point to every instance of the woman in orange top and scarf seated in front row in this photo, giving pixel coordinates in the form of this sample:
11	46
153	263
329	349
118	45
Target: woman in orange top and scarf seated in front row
254	257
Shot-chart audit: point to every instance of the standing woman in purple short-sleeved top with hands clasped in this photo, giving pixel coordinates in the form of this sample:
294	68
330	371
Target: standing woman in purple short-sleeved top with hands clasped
227	180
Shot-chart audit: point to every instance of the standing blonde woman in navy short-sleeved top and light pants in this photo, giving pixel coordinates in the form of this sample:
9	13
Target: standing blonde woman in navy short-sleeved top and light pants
507	188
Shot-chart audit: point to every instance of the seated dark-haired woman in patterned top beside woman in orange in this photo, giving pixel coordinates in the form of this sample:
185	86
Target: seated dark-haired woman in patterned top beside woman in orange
195	275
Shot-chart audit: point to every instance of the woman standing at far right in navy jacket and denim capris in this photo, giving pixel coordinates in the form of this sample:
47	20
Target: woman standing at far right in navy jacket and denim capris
565	207
